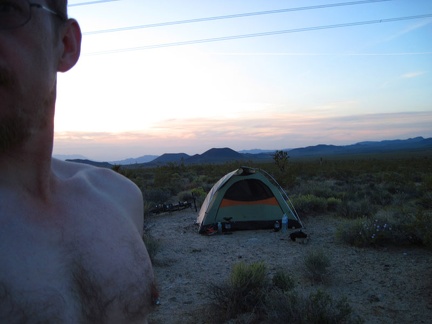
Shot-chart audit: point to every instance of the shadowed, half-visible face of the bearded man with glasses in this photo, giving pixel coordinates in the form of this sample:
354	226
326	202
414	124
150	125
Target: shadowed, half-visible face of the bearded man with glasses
28	67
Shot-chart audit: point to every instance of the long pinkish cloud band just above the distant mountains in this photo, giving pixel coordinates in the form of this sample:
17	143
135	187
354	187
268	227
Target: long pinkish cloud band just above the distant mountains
273	131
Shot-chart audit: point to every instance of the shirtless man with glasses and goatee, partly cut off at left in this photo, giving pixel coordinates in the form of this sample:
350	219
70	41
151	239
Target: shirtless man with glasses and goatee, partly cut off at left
70	235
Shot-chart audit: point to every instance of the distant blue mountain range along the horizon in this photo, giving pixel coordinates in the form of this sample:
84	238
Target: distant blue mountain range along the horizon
222	155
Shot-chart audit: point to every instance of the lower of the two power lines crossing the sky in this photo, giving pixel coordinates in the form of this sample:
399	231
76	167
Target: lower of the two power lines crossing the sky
278	32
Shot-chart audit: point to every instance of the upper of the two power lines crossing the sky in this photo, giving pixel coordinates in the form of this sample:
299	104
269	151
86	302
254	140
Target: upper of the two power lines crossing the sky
247	14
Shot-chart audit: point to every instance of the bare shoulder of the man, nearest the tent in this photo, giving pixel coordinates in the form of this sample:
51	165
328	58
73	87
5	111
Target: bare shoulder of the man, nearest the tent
104	182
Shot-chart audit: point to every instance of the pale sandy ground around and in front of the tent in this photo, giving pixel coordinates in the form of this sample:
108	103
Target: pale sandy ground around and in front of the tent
387	285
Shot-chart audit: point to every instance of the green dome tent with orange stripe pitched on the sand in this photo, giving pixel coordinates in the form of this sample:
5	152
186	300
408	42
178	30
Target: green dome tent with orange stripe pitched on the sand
246	198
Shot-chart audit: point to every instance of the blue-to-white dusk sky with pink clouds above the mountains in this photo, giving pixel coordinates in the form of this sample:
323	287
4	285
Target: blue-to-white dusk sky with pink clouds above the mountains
185	76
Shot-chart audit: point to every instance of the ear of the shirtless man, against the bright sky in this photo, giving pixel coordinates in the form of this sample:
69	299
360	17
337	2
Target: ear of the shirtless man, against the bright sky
71	45
